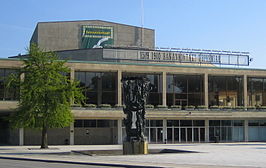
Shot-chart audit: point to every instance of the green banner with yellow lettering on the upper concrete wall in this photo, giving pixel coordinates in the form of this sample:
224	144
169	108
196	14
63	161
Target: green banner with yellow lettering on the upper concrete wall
96	36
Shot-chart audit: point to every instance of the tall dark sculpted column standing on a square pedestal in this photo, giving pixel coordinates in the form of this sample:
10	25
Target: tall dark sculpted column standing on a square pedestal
136	90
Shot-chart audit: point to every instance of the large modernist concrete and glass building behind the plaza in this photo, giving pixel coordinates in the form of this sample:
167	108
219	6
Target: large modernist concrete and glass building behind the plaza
101	53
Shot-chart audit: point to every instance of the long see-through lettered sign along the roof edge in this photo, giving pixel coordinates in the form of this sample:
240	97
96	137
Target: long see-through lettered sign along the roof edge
180	56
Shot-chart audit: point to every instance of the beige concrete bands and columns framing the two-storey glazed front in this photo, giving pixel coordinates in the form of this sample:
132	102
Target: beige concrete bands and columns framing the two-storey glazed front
114	135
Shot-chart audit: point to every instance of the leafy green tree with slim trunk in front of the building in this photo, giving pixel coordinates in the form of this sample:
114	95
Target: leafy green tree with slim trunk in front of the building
46	93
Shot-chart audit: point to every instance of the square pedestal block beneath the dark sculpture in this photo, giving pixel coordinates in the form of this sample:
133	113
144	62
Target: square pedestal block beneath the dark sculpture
135	148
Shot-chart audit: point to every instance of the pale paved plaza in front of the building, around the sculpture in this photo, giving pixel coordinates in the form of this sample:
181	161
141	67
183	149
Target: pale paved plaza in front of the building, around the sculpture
204	155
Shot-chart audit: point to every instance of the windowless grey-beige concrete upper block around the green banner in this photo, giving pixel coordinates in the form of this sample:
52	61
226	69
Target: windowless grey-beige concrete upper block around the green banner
54	36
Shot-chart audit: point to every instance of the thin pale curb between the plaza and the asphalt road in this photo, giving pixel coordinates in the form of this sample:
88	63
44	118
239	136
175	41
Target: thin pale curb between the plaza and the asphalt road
81	163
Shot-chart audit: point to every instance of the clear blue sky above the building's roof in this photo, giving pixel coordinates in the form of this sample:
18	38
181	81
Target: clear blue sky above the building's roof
238	25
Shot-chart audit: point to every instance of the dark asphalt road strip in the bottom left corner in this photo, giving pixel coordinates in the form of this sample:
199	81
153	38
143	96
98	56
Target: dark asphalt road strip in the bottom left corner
6	163
